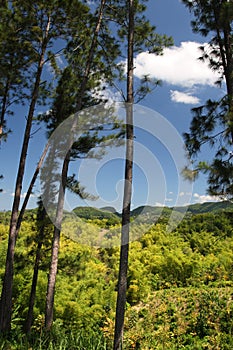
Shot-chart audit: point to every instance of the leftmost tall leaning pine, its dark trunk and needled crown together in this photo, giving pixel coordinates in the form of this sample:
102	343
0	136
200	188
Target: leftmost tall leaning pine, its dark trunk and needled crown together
43	23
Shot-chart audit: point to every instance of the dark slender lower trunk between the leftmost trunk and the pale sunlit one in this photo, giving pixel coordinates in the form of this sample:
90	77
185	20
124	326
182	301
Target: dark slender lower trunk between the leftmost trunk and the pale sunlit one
29	319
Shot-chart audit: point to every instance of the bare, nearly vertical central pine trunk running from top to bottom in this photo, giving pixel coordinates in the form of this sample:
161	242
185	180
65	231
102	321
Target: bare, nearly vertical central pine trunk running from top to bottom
124	253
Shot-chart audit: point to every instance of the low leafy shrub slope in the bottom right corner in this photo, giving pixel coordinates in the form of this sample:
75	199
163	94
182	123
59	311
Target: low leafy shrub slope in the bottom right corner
181	319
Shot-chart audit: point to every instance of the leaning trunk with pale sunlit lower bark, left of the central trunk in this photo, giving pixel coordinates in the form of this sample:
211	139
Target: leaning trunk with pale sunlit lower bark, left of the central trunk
59	215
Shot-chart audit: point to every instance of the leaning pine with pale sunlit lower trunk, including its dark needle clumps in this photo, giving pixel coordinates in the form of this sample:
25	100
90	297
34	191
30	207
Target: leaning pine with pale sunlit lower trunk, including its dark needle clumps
88	68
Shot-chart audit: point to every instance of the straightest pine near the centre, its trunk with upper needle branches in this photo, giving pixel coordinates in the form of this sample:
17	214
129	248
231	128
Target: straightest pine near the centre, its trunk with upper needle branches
139	35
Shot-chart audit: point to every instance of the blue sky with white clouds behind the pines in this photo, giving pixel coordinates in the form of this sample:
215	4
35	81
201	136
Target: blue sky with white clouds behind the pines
186	84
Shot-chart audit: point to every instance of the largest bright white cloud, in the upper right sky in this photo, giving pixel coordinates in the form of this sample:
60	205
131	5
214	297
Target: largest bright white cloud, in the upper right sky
177	66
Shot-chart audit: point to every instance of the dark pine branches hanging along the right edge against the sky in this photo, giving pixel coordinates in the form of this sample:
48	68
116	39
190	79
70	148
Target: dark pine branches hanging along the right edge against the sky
212	122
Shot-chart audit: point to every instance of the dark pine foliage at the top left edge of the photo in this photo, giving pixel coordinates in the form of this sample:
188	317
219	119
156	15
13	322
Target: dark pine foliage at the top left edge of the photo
14	63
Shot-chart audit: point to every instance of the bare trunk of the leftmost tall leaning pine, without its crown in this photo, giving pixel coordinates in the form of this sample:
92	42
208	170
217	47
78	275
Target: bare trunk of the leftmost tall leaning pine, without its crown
6	296
